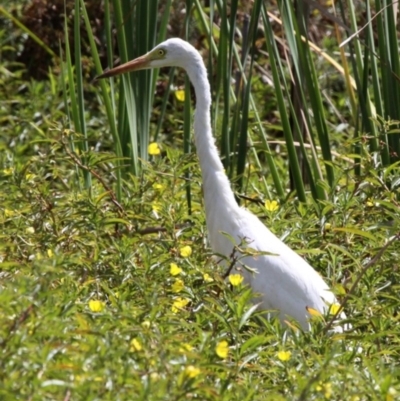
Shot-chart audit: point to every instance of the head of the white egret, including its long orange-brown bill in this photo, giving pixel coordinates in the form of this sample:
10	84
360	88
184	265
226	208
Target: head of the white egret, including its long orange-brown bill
171	53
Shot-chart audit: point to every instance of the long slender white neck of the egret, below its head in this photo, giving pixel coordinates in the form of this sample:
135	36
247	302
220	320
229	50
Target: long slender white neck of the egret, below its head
216	185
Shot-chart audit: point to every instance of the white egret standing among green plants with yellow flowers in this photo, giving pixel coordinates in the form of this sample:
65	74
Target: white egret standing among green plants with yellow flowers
285	282
